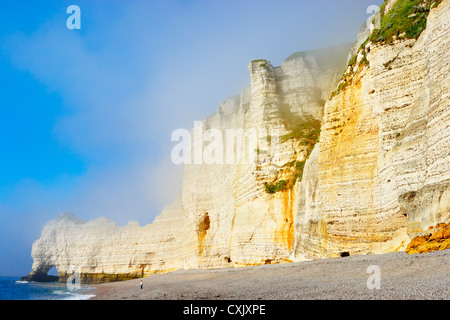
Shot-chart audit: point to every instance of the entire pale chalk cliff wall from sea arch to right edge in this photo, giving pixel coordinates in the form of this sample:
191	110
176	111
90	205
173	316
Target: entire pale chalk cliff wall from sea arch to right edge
378	177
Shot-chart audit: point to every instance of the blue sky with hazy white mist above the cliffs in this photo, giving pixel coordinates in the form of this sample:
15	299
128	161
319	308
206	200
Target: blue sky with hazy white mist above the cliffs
86	115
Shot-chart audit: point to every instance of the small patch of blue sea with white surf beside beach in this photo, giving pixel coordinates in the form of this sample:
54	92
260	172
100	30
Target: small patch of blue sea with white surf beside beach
12	288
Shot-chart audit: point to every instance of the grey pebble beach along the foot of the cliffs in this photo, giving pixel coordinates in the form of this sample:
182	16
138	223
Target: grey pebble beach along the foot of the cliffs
402	277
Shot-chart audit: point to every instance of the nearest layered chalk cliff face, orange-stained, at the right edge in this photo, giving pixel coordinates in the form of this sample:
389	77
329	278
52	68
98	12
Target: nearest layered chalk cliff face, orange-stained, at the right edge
387	136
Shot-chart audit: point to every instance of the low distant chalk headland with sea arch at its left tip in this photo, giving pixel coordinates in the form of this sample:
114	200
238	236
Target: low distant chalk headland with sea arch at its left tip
100	250
